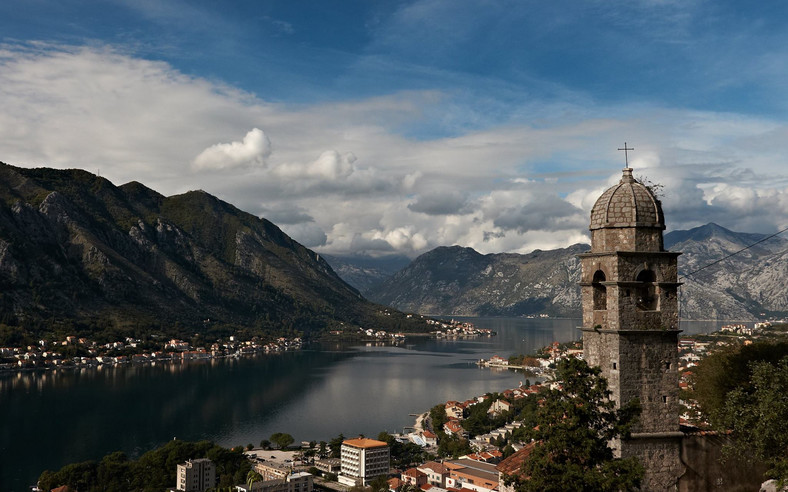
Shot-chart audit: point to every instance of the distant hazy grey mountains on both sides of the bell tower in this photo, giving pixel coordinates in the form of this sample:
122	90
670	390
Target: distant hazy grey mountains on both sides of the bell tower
748	285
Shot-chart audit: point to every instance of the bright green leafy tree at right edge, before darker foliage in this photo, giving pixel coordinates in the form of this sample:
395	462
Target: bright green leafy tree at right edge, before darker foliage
757	415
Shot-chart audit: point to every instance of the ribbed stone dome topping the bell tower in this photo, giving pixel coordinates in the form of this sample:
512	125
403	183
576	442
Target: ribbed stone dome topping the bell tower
630	203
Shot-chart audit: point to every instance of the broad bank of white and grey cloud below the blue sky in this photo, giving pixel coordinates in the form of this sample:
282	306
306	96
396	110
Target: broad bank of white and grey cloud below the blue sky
527	184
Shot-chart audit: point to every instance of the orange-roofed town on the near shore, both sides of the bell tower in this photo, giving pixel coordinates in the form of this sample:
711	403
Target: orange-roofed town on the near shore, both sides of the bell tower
419	459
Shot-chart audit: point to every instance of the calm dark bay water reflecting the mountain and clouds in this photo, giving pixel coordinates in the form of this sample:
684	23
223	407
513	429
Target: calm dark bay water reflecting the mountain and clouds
48	419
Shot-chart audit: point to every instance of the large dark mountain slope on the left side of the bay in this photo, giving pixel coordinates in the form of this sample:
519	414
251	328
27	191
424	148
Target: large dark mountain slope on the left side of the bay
75	247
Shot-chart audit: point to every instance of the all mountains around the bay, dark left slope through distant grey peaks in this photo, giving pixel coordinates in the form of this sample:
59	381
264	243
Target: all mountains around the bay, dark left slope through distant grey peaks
77	252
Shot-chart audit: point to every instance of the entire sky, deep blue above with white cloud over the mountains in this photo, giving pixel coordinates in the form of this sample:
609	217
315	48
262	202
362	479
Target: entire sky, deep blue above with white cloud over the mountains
375	128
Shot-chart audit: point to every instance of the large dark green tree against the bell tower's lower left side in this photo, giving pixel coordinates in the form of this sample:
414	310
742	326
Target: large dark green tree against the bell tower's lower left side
575	425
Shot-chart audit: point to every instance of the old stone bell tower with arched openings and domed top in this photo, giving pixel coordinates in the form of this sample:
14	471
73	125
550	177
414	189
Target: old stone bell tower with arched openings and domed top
630	322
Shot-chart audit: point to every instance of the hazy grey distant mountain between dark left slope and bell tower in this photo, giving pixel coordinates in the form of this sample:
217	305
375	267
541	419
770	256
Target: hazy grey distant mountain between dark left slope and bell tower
460	281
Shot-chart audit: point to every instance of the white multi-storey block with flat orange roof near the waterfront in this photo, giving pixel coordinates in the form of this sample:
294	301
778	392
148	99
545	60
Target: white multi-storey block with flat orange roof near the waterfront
362	460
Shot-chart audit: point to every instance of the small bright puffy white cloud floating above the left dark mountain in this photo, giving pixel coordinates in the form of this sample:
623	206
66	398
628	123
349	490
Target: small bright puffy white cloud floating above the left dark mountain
252	151
